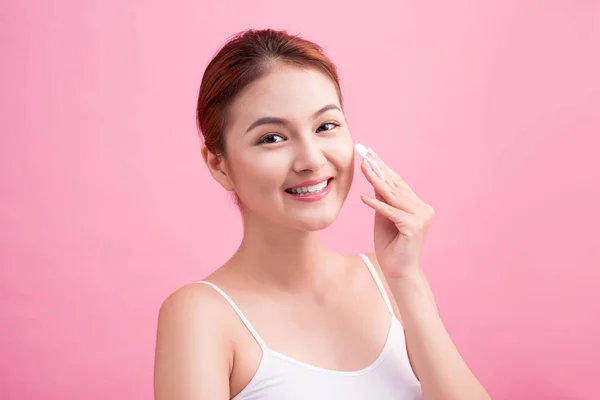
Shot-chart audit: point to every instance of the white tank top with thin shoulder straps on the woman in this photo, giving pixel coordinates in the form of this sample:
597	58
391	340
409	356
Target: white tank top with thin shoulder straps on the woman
389	377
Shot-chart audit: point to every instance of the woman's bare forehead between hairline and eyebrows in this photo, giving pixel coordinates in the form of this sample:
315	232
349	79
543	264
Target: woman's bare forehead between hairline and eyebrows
285	92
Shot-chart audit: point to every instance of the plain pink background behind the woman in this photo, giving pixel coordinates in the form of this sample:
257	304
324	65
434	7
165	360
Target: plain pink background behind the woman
490	111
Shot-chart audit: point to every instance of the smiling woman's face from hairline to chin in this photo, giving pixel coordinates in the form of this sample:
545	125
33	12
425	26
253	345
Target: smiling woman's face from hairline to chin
286	134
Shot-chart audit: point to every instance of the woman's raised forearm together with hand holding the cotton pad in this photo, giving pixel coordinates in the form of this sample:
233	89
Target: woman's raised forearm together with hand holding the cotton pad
401	223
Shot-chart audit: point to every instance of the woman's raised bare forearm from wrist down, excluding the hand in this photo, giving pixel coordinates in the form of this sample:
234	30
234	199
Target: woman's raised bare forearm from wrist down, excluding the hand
442	371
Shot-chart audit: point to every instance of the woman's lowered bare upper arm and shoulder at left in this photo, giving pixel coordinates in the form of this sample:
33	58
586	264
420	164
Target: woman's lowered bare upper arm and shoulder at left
193	357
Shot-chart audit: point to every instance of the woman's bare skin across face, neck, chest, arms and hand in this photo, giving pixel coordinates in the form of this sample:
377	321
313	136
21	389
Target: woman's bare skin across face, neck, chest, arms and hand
301	297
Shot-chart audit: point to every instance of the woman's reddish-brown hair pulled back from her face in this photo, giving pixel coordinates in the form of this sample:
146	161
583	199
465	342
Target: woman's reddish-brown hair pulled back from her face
243	59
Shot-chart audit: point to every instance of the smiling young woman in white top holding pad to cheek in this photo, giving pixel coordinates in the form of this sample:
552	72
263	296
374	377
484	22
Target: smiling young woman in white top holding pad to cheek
286	318
